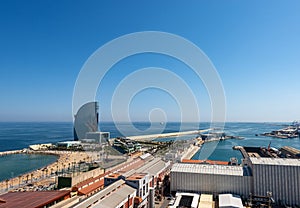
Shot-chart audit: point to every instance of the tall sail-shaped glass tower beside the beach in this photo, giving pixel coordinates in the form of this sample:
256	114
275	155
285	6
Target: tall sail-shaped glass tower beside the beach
86	120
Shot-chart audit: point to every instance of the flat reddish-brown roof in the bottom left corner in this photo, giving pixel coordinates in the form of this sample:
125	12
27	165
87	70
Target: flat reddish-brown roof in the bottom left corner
29	199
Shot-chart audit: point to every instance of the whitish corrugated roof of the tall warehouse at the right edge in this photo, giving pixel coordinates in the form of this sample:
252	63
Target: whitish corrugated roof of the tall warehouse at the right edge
275	161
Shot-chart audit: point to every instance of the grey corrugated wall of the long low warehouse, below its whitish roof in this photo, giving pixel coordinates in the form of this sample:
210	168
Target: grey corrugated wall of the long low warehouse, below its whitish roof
210	183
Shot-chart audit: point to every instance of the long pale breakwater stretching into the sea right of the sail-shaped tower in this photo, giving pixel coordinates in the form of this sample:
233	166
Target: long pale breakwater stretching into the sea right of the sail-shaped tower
165	135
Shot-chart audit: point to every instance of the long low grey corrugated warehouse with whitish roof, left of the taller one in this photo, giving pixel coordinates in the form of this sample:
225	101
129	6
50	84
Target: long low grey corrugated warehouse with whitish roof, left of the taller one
211	179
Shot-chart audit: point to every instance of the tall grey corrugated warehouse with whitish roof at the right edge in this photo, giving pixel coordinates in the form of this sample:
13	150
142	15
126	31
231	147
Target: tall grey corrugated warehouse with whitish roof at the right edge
279	176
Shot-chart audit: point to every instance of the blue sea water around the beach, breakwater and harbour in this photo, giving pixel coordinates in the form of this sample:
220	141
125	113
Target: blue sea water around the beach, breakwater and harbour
18	135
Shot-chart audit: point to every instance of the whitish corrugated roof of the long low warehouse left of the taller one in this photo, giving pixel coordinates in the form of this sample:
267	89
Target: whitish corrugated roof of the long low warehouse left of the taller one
208	169
